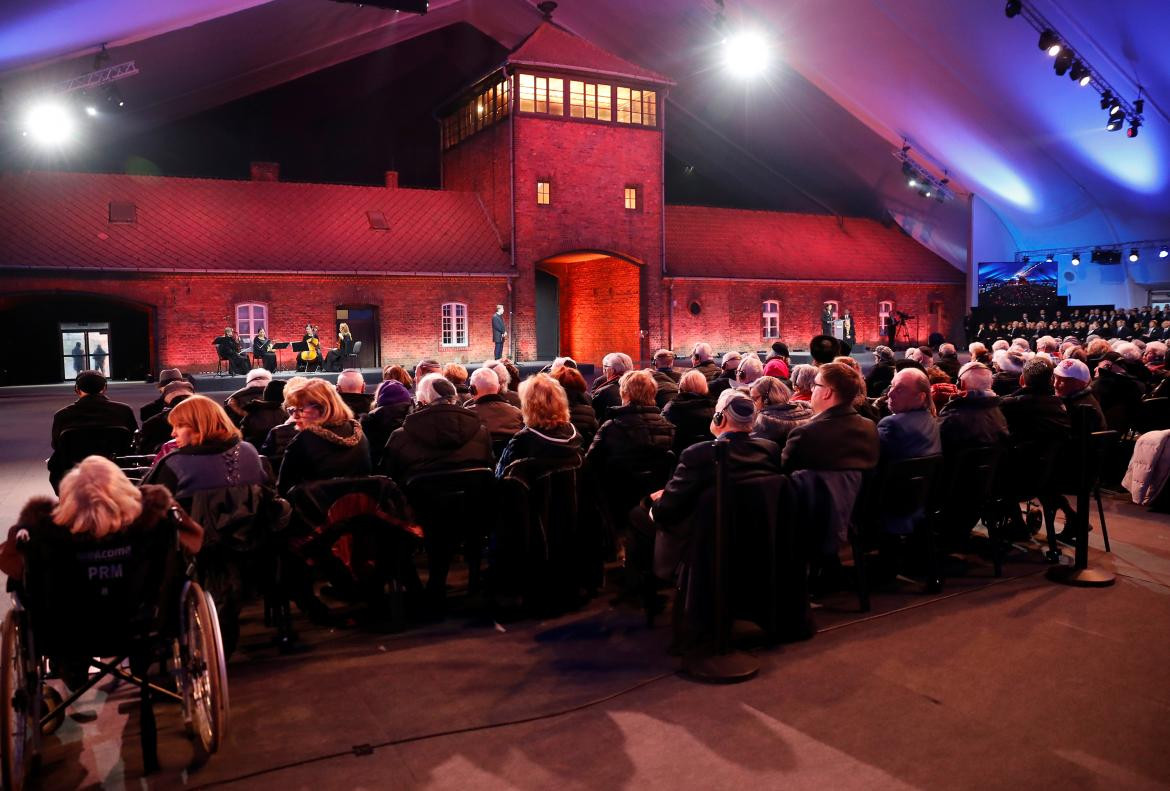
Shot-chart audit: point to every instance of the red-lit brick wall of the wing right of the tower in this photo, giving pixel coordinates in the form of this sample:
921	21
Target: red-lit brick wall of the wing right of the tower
731	317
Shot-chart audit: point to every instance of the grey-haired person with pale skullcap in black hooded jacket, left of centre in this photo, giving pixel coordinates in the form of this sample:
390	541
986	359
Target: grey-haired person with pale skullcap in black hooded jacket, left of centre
438	435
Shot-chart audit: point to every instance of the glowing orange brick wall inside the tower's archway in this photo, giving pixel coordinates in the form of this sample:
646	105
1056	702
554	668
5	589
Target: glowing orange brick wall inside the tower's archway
604	288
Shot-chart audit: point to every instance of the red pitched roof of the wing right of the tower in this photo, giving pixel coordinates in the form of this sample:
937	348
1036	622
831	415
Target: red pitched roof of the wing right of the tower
728	243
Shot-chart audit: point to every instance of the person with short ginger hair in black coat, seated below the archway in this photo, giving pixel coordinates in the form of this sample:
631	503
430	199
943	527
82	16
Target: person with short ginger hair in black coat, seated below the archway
634	430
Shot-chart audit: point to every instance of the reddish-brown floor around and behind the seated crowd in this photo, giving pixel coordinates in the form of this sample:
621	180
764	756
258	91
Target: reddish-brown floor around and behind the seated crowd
995	684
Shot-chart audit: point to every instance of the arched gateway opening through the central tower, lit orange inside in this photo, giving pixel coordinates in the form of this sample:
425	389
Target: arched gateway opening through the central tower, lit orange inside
598	301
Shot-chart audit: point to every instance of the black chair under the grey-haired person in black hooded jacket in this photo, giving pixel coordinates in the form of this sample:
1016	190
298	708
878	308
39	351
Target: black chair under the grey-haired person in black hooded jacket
456	508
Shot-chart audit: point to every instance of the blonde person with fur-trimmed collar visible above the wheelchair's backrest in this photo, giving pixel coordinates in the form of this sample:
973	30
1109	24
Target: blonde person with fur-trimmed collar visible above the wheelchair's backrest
98	501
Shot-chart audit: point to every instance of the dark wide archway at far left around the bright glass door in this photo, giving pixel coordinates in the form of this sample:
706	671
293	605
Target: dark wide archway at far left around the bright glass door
35	326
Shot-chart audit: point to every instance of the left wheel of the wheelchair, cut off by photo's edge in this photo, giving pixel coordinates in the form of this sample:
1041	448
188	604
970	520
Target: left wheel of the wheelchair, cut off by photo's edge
19	694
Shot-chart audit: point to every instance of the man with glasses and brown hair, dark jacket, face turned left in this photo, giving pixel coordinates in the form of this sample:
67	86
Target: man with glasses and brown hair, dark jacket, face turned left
837	438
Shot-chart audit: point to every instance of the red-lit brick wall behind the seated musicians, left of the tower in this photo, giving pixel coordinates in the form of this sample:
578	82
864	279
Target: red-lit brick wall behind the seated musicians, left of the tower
192	309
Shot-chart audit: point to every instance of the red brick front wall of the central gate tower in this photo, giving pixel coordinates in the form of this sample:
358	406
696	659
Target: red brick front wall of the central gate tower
589	167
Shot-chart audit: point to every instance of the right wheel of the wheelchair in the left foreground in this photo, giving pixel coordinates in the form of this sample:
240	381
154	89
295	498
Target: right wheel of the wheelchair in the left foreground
204	669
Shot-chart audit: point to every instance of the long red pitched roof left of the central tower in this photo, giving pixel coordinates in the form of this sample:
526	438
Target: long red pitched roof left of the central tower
61	221
